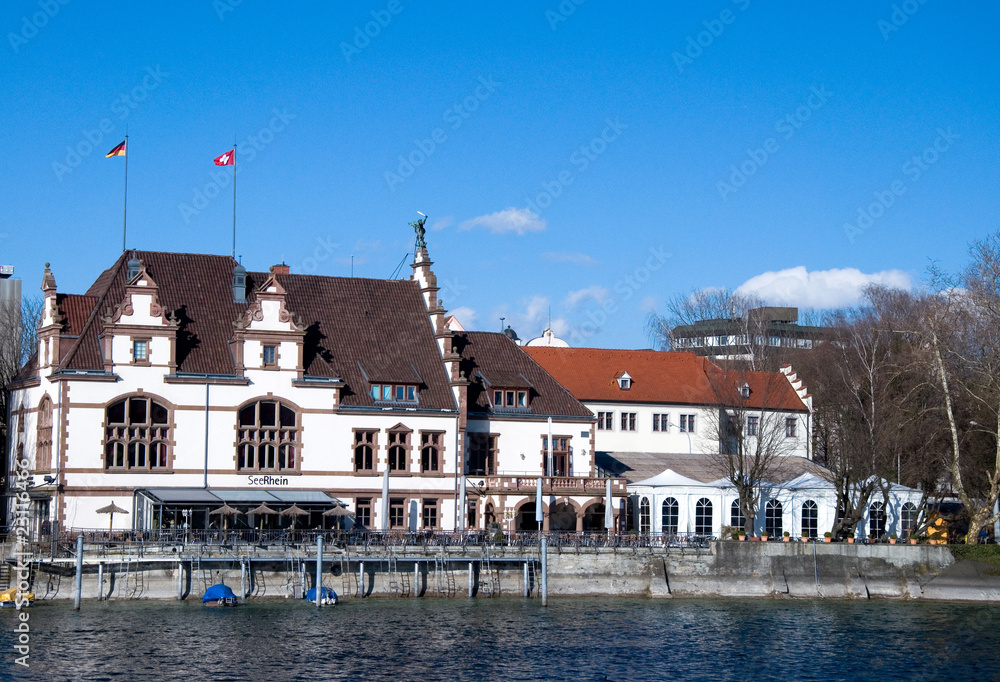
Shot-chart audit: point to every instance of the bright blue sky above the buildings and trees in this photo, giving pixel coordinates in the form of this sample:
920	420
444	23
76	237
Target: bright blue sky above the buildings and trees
593	159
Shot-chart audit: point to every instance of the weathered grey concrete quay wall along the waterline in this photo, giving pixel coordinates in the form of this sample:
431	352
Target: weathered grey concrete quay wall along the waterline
724	569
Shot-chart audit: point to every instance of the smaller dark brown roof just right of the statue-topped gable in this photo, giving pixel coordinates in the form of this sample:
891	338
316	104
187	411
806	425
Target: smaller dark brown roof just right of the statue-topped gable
504	364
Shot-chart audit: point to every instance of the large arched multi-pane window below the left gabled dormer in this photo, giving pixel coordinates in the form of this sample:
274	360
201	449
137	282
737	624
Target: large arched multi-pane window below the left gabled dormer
136	434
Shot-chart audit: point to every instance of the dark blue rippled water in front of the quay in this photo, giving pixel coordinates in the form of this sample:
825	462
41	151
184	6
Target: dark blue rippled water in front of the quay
509	639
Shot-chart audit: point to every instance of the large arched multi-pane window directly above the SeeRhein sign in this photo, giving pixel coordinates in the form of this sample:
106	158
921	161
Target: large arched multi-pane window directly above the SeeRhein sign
268	437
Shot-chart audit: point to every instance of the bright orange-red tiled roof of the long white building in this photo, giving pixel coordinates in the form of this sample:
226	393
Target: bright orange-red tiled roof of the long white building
662	377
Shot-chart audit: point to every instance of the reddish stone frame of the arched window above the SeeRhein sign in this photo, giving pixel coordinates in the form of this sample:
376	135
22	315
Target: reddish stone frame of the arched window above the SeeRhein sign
281	437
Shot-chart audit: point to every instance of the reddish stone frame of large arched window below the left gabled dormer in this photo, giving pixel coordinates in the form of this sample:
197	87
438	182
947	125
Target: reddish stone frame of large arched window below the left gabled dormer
153	434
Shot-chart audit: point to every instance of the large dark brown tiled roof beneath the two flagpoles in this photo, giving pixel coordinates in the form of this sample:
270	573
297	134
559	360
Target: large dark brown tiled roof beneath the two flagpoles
380	325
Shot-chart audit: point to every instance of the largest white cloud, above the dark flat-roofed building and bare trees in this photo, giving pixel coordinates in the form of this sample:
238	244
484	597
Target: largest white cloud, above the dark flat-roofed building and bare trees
835	288
